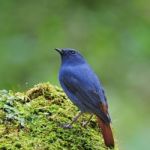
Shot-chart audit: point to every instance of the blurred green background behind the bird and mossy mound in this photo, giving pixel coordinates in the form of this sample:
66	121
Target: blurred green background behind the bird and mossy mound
114	36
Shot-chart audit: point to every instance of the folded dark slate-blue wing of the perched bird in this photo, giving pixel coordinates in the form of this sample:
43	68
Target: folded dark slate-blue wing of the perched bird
86	95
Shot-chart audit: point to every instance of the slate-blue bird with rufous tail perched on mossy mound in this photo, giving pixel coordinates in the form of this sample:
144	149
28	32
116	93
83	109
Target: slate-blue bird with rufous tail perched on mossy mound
84	89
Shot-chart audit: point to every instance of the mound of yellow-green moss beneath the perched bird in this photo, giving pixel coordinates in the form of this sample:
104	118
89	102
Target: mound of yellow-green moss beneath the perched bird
33	120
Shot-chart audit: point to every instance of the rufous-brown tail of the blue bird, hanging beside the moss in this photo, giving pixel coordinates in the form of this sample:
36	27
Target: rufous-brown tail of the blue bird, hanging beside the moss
106	132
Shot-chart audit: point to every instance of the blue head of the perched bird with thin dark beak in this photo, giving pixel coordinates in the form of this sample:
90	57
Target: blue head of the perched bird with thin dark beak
70	56
